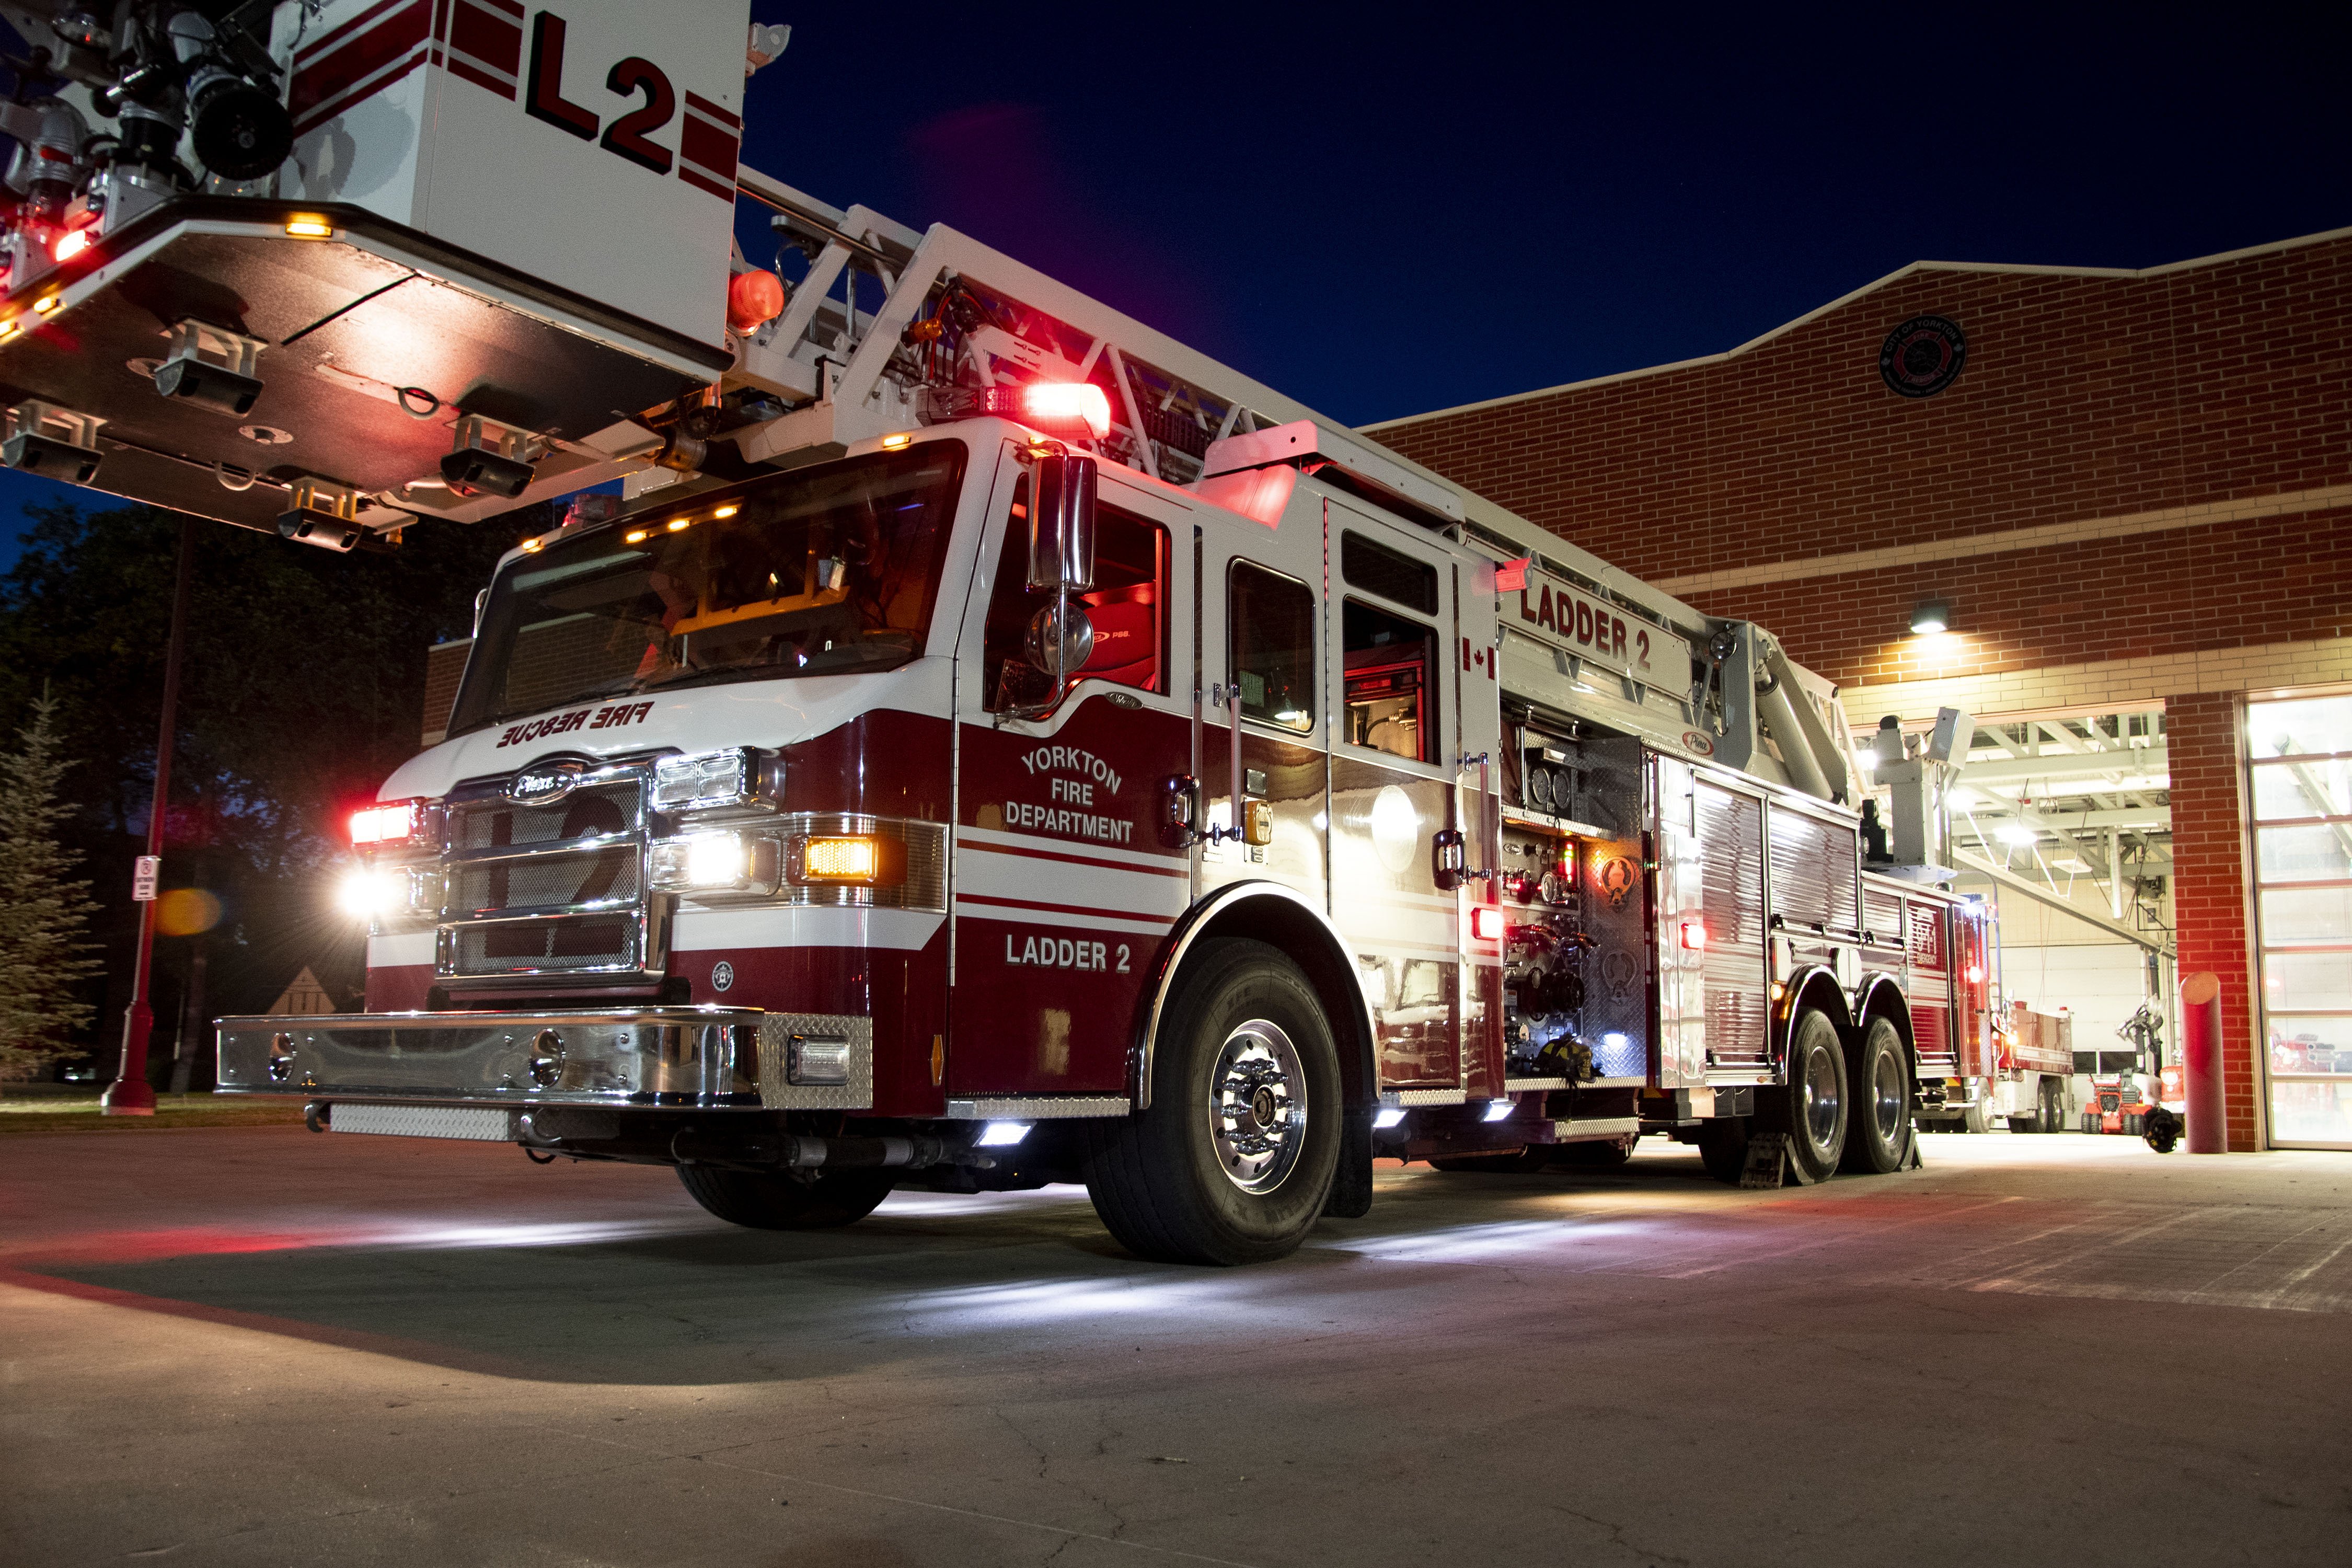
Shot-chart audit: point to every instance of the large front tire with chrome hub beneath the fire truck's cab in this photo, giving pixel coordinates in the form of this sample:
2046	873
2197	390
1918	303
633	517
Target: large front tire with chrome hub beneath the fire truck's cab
1241	1144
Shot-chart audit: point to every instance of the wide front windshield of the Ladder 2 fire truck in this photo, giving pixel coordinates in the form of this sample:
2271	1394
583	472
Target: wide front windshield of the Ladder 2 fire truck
813	572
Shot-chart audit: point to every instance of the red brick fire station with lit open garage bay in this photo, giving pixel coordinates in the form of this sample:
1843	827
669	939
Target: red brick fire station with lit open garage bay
2134	500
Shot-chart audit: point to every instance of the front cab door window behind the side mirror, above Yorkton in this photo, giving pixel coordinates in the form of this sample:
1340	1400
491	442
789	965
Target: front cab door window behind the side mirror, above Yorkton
1128	610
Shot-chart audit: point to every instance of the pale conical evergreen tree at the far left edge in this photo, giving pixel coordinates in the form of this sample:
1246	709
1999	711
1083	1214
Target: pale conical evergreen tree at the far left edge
44	916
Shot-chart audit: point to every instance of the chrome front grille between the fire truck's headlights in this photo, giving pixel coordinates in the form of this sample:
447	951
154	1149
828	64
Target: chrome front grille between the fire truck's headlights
549	887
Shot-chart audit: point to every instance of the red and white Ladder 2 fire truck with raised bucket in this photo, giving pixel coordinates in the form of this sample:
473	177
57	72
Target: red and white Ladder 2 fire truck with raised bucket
987	744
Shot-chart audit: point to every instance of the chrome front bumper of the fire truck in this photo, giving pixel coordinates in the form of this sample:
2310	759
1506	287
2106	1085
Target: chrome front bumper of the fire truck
662	1057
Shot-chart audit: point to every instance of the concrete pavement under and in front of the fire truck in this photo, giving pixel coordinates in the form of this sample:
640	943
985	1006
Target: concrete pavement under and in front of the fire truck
262	1346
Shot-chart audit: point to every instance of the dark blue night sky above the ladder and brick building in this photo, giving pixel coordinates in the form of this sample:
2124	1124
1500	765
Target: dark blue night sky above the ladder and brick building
1401	210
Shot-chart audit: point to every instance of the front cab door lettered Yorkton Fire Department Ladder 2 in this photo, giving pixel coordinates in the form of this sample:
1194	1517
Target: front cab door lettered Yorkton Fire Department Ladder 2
1067	883
